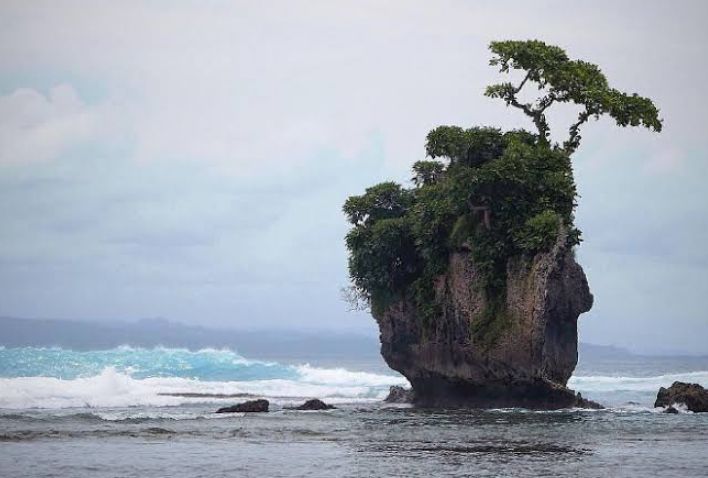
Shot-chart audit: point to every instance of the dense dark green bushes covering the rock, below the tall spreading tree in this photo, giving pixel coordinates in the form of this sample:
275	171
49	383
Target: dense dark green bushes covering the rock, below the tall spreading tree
402	238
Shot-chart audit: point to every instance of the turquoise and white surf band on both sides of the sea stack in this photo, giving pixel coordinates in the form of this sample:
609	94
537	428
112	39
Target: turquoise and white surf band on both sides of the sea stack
36	377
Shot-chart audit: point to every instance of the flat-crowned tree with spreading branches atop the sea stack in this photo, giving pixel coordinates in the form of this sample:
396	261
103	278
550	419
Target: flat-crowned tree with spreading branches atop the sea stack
564	80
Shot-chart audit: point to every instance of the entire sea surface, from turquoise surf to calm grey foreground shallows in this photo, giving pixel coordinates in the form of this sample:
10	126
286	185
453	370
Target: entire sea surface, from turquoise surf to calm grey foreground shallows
149	412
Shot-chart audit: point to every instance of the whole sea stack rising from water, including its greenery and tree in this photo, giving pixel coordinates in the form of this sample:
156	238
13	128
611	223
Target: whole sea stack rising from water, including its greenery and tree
471	273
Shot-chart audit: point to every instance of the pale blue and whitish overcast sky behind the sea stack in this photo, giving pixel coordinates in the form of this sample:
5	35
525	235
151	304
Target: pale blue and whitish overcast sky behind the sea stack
189	159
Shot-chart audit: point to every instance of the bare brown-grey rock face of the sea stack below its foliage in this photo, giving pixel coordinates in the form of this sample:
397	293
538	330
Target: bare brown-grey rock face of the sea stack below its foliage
527	353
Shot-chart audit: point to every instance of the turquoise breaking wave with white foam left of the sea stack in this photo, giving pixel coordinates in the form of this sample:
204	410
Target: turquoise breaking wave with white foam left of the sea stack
56	378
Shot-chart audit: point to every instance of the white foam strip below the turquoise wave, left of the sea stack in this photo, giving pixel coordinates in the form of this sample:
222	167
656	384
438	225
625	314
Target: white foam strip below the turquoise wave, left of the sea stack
114	389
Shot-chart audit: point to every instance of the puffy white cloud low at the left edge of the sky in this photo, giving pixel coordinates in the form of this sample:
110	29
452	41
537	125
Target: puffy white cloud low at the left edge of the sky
37	127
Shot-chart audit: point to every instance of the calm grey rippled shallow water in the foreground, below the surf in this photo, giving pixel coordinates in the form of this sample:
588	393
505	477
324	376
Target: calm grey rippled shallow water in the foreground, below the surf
352	441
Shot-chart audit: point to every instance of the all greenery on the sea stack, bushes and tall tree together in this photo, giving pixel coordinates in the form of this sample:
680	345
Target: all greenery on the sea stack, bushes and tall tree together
499	195
